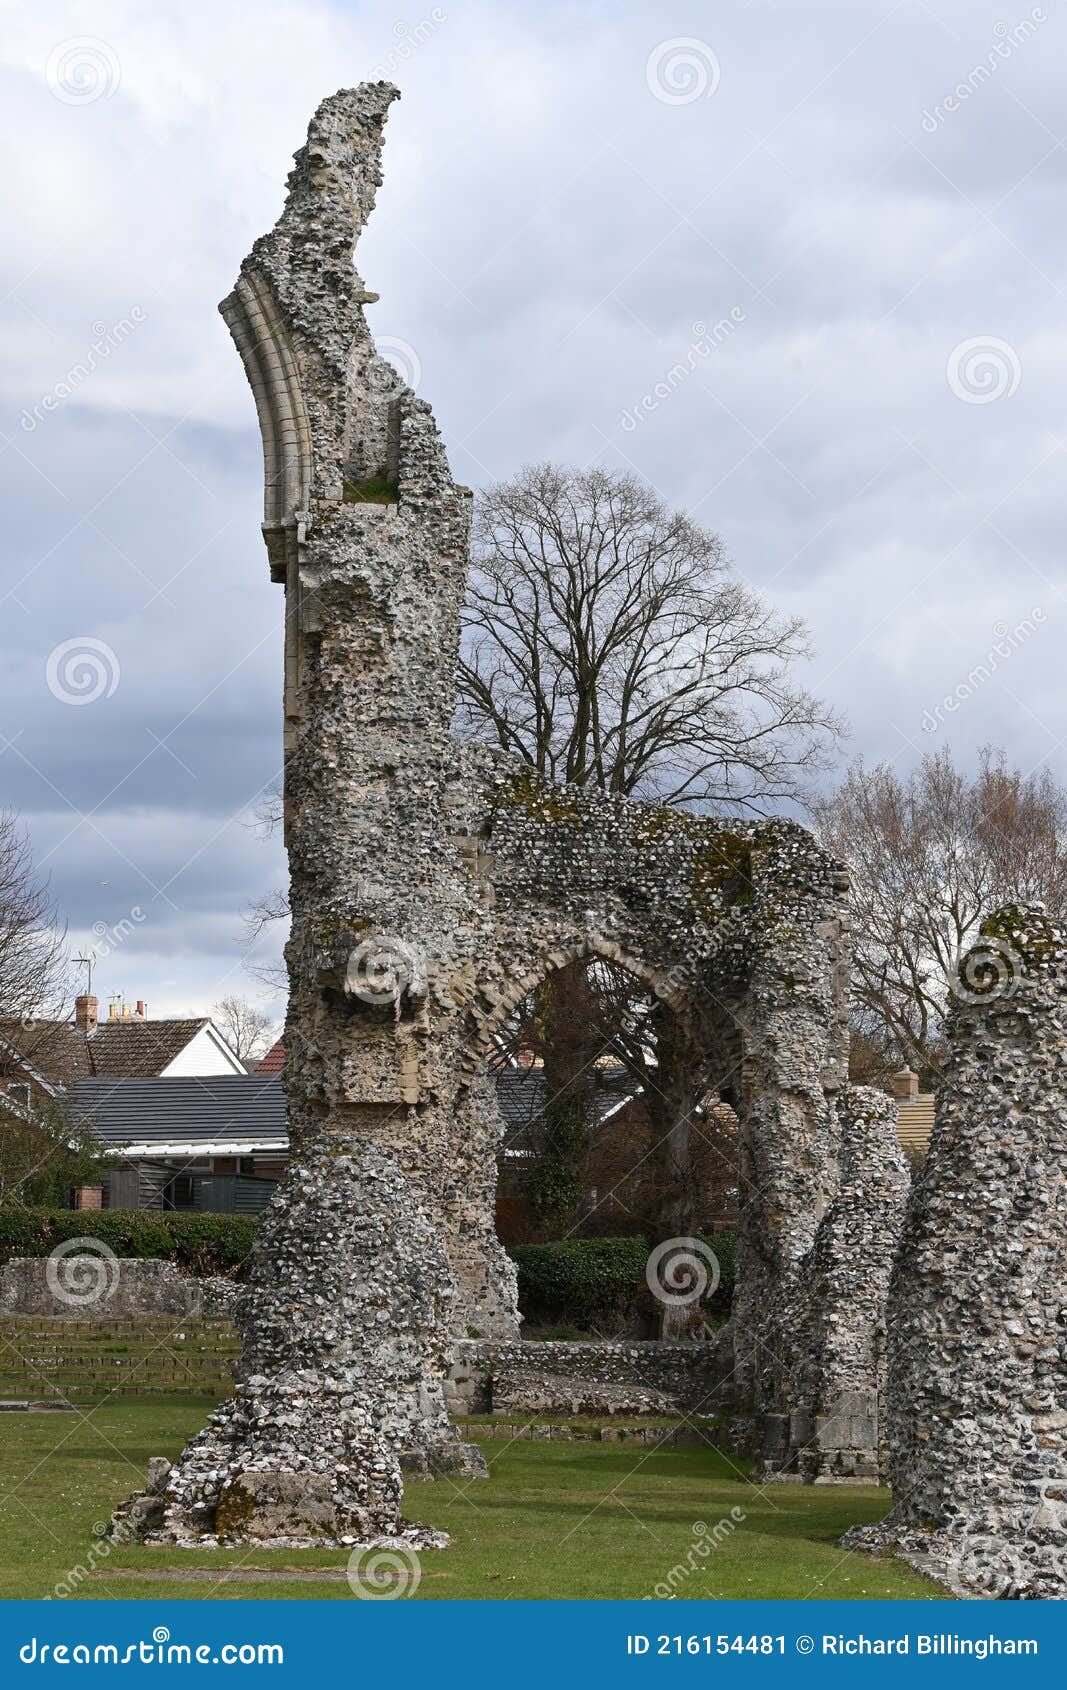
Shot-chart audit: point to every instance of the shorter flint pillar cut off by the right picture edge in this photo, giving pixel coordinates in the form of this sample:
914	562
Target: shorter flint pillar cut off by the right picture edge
977	1339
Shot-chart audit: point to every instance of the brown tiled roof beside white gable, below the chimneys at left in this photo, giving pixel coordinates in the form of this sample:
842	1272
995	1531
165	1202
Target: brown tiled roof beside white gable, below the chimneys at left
63	1055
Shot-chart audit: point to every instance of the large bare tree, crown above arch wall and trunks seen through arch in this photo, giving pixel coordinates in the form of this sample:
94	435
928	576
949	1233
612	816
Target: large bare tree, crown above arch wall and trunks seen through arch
610	645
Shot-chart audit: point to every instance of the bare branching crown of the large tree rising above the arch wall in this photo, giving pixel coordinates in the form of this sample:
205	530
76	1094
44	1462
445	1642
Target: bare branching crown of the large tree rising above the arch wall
608	643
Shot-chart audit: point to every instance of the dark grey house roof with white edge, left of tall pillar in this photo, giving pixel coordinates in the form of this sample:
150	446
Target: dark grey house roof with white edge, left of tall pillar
150	1116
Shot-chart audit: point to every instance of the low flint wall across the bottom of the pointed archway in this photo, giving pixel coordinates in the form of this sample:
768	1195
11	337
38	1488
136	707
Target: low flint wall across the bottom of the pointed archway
687	1378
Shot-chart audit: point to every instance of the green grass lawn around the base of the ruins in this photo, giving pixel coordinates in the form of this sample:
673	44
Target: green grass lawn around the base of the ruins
554	1520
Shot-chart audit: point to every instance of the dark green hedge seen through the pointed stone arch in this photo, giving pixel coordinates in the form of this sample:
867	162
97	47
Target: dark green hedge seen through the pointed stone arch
588	1280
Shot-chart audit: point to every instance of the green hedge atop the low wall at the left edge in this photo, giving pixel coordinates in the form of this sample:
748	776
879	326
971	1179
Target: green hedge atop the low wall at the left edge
199	1245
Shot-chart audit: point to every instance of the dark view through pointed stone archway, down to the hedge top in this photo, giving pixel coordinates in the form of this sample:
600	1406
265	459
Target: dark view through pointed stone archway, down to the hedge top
618	1108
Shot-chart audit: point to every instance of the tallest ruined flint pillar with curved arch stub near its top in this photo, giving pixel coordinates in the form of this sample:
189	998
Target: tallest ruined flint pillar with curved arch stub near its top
349	1306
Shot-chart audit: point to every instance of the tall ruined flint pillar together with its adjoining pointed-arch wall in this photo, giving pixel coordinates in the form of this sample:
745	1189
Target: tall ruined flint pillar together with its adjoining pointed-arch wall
432	886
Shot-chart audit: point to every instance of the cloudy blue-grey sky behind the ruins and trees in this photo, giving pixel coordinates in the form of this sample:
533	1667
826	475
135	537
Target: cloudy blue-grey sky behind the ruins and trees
797	264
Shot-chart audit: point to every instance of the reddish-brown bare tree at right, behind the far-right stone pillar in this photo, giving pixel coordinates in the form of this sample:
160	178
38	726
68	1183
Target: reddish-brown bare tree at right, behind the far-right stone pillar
931	856
